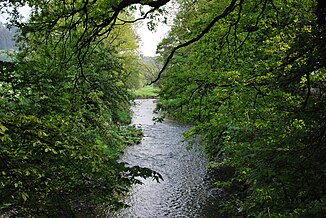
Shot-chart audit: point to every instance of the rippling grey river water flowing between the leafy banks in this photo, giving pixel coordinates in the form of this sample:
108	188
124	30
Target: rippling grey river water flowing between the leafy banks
184	191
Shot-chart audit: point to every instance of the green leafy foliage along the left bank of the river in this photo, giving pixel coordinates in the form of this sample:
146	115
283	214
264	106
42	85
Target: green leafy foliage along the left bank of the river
63	117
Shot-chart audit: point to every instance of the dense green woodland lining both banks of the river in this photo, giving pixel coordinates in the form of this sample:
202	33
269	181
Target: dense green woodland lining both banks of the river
247	75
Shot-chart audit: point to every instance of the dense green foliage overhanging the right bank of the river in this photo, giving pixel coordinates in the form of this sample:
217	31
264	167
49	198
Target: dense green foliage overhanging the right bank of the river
254	89
